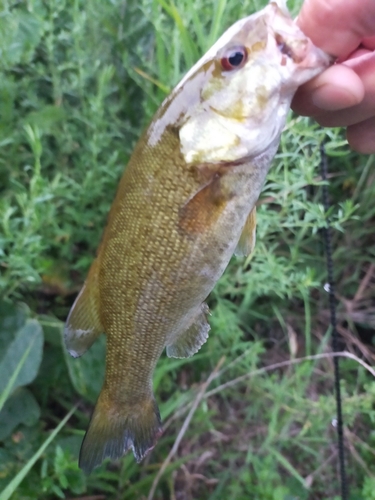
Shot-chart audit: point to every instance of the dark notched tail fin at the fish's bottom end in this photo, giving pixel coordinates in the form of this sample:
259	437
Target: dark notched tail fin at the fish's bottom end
113	431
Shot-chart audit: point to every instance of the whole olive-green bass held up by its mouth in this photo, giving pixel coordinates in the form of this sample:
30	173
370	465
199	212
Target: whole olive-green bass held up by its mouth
185	204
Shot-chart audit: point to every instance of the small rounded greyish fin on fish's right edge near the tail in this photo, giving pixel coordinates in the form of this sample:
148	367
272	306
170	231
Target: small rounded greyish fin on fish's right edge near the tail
191	340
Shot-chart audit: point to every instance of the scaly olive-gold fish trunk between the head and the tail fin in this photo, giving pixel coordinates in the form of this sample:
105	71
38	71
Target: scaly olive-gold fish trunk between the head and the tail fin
159	292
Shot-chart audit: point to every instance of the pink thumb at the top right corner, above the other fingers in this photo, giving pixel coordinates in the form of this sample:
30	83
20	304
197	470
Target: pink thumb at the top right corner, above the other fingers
337	26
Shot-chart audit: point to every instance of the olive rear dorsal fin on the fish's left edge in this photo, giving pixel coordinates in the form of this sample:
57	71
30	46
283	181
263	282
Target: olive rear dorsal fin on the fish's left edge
83	325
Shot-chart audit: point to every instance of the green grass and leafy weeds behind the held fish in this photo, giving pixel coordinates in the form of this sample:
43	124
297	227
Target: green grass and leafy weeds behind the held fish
79	80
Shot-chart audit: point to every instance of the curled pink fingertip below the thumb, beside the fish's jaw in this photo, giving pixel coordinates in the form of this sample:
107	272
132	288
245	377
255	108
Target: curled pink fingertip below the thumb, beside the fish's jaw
336	88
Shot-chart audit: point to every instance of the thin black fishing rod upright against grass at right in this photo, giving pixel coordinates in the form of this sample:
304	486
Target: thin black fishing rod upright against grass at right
330	288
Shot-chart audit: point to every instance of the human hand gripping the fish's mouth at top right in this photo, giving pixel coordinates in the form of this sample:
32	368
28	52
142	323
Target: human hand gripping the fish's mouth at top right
344	94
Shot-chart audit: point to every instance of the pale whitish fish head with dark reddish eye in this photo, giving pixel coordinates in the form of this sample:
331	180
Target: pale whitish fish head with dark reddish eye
233	102
